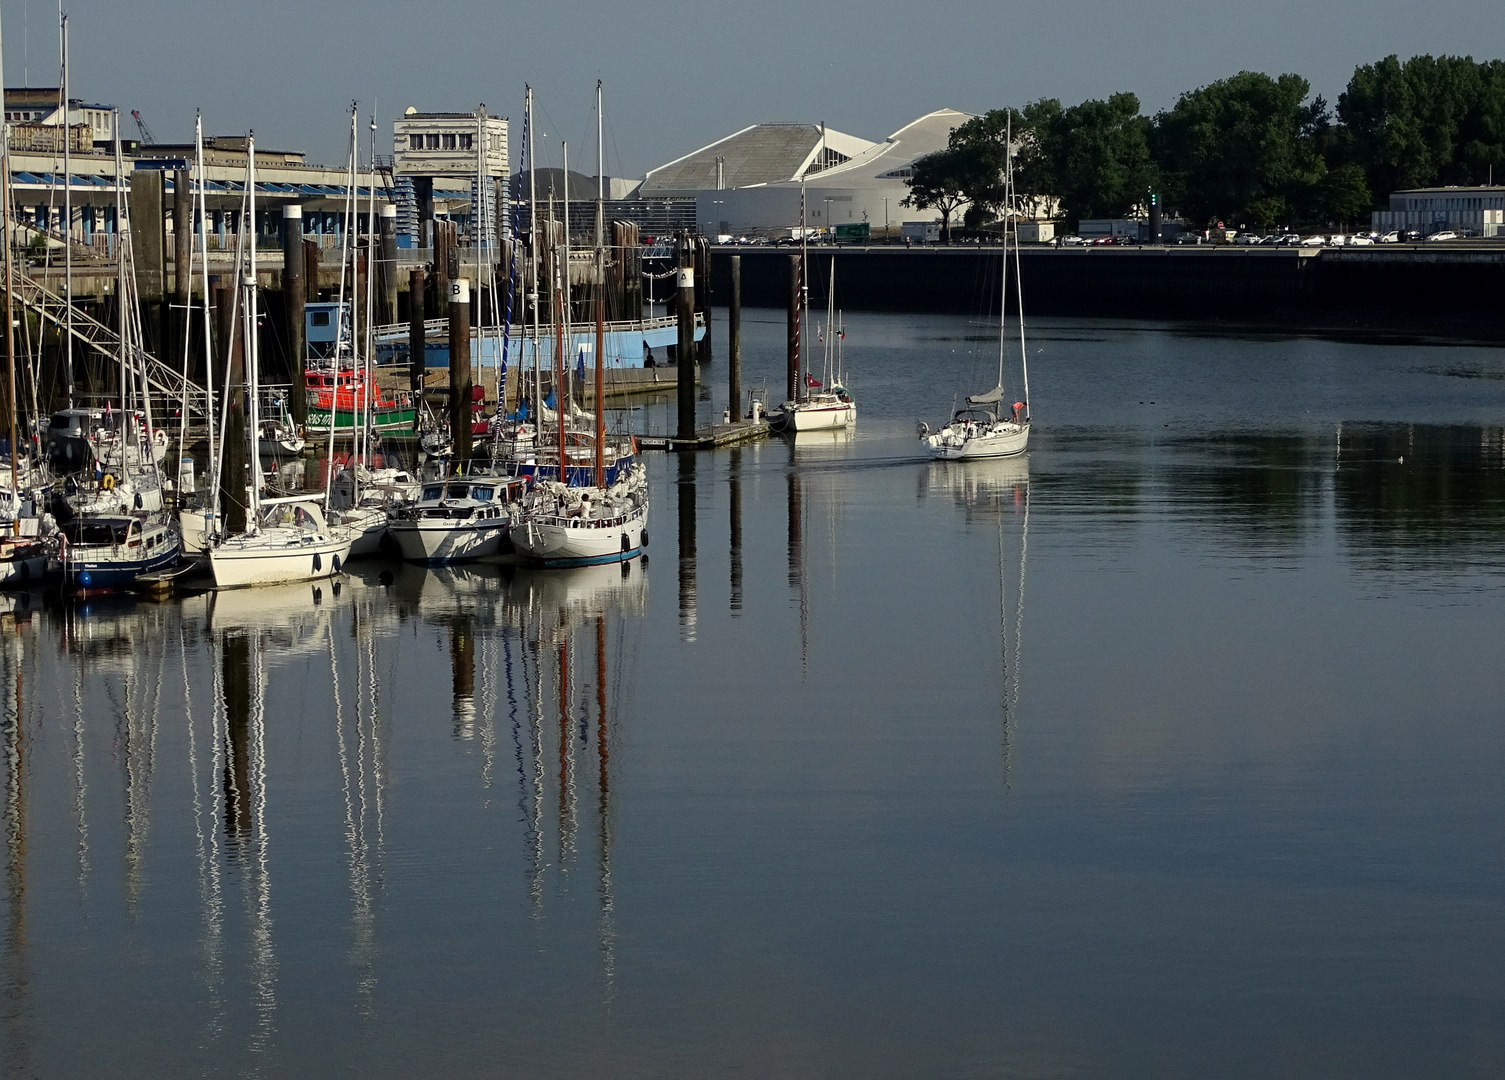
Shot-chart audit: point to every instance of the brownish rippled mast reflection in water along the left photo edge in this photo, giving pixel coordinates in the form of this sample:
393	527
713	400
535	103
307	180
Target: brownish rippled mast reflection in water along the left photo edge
17	977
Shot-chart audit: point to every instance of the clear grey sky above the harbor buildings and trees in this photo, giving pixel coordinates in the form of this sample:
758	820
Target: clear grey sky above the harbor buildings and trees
681	74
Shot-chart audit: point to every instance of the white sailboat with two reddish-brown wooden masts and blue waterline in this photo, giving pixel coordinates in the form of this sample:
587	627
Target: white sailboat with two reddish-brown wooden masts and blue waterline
606	523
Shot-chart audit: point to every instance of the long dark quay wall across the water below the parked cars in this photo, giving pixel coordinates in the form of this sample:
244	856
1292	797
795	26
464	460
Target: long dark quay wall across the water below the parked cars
1464	284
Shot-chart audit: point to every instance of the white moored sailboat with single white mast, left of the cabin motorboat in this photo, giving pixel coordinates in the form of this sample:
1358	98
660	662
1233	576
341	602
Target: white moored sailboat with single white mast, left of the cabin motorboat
287	539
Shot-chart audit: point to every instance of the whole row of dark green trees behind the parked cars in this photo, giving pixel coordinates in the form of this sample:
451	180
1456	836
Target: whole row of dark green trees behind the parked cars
1253	151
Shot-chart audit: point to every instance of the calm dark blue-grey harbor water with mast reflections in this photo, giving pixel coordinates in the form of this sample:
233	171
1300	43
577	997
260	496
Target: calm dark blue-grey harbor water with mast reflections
1173	750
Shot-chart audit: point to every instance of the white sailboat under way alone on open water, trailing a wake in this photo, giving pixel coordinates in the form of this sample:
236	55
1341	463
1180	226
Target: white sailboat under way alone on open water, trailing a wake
982	429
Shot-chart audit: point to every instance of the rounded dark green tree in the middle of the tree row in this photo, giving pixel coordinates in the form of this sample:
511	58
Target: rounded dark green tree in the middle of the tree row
1242	150
